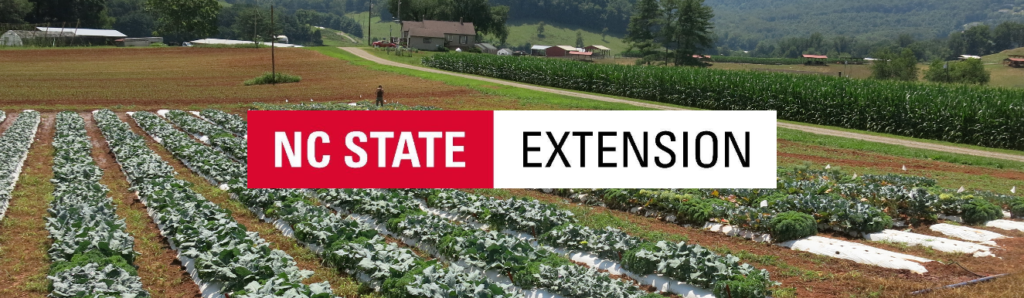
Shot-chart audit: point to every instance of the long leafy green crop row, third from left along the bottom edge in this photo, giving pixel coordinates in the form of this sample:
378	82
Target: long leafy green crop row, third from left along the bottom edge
346	244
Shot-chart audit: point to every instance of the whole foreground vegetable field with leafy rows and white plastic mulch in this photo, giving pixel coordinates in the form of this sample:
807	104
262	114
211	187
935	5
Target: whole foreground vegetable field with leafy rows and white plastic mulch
500	243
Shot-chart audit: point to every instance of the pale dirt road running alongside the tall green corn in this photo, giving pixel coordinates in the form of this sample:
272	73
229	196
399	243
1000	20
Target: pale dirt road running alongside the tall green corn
817	131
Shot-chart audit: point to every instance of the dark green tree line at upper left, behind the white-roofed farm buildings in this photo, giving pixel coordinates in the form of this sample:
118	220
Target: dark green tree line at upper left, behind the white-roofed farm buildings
180	21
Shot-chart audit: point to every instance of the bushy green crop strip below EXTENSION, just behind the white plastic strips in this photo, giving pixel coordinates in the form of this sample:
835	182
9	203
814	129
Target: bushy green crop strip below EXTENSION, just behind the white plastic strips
807	202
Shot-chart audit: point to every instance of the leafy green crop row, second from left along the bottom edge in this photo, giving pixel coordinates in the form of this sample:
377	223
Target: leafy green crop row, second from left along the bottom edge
220	253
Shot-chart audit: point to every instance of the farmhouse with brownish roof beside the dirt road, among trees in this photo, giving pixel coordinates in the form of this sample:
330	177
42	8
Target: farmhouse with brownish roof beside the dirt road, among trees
433	35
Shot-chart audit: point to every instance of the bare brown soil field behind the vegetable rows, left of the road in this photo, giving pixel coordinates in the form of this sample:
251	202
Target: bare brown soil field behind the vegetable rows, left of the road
152	78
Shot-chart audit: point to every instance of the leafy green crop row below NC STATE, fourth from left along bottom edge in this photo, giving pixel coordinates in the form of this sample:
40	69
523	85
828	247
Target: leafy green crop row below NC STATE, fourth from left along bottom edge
525	266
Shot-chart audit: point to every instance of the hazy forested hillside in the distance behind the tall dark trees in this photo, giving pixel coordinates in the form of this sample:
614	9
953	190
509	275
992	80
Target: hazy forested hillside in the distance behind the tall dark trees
741	24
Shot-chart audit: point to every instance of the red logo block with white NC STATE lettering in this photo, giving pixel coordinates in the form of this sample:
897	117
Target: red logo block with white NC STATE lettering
371	149
